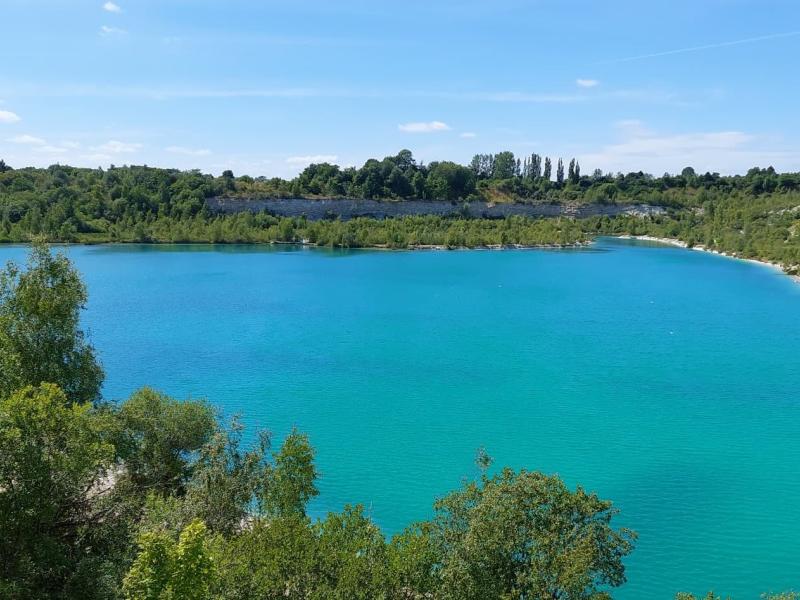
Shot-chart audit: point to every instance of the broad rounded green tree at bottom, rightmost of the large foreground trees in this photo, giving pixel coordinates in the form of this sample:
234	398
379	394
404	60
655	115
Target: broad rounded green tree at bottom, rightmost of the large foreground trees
525	535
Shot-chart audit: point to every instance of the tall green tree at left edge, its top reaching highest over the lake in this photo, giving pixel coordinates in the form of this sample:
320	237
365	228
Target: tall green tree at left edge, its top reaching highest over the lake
40	335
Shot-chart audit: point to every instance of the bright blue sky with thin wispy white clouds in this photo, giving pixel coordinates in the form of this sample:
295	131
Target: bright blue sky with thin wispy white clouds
264	87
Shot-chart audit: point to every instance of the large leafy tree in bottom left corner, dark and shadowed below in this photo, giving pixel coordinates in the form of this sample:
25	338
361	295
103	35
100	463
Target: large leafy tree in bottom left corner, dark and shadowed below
54	461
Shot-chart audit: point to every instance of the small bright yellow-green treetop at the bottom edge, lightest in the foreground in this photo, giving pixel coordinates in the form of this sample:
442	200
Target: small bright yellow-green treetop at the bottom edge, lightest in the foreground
165	569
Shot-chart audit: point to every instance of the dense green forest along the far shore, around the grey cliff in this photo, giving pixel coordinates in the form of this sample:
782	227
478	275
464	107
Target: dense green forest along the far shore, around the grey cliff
756	215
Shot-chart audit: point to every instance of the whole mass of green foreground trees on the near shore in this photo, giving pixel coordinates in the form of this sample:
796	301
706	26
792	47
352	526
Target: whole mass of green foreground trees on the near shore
155	498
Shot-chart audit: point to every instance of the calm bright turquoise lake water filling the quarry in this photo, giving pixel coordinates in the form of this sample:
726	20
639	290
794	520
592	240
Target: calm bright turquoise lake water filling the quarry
664	379
